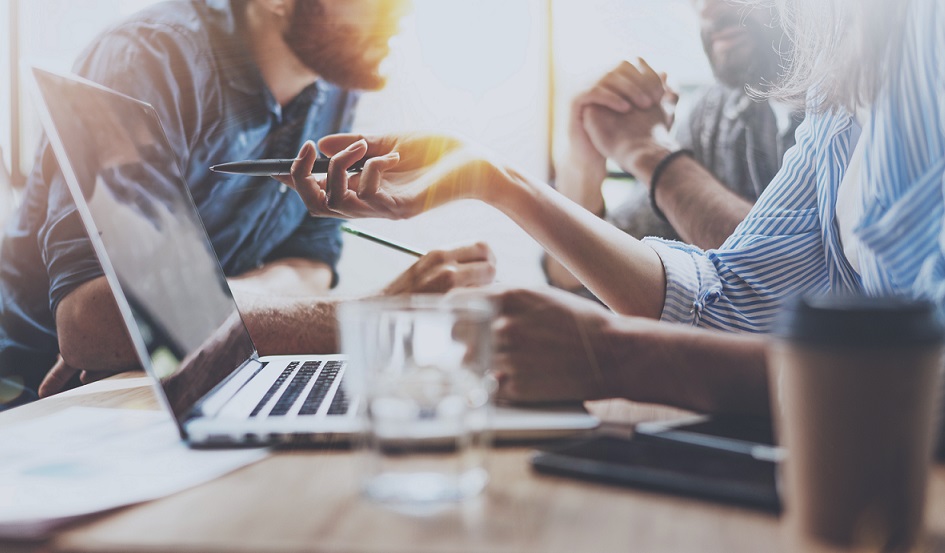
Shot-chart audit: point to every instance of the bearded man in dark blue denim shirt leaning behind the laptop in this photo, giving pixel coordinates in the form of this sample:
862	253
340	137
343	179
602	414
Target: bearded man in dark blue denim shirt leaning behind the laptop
230	80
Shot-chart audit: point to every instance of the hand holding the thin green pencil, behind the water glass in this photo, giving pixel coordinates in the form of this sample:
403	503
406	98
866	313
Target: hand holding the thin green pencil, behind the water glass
443	270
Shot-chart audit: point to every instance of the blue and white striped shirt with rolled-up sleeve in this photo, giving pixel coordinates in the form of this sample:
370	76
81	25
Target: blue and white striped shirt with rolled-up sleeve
790	241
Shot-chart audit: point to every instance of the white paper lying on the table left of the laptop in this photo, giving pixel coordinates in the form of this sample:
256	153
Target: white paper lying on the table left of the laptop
84	460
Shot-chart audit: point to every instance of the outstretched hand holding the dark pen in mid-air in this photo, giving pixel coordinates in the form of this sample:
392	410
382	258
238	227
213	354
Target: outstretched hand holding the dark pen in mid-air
404	175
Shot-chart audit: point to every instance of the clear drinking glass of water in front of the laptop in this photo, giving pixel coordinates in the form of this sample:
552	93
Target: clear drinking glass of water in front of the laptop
421	367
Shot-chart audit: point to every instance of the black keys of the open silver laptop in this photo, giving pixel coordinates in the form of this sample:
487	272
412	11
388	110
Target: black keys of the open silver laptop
315	397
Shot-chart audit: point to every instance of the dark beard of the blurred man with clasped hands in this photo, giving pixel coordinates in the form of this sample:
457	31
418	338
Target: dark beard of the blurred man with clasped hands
758	62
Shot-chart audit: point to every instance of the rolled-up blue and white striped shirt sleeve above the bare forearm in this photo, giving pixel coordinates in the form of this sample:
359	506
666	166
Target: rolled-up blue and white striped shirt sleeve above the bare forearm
777	251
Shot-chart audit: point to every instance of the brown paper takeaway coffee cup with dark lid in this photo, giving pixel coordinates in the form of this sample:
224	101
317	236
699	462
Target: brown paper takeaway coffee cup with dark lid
855	385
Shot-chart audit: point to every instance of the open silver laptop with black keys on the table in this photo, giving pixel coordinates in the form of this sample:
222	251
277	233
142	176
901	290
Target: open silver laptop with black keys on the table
173	295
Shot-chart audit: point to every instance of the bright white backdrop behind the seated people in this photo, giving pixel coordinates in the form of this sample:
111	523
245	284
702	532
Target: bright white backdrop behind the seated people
477	68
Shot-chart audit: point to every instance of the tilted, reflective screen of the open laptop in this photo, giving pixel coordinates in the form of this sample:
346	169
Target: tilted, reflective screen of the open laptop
148	236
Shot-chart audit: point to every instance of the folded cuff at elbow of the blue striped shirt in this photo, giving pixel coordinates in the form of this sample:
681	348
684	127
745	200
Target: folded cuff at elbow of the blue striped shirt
690	285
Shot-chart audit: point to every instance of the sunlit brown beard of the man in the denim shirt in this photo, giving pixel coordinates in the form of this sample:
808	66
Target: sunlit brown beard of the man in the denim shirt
342	53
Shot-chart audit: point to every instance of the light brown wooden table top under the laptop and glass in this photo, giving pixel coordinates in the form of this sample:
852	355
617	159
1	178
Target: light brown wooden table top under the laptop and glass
298	501
